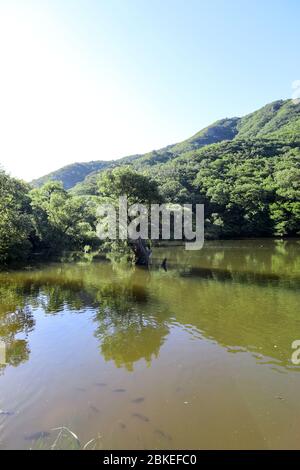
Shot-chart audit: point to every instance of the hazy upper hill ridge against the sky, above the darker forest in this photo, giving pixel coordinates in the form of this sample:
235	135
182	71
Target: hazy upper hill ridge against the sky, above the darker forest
279	120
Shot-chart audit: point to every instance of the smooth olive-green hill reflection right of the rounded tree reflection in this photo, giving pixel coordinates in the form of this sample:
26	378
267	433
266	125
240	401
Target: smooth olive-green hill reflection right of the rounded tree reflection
241	317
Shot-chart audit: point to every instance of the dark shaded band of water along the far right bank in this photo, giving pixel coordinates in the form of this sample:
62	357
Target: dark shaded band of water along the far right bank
262	262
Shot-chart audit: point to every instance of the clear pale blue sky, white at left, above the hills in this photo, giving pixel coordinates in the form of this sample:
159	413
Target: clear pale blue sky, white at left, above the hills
100	79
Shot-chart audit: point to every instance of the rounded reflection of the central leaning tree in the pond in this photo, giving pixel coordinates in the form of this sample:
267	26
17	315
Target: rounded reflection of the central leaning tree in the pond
127	329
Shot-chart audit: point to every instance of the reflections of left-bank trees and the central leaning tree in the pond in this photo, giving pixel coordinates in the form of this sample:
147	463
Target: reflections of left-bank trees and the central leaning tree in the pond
125	326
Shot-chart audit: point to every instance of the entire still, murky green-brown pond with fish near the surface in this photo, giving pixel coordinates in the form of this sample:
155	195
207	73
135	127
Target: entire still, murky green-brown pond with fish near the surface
198	356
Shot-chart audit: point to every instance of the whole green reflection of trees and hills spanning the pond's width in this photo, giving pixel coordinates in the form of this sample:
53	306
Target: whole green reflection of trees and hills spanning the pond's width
243	295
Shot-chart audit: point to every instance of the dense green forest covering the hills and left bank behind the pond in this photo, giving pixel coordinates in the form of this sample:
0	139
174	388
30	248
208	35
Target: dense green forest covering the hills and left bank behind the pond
246	171
